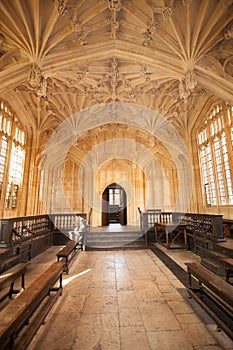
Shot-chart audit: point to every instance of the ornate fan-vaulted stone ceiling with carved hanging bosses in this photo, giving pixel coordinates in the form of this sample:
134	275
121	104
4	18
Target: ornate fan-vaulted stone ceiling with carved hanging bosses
59	57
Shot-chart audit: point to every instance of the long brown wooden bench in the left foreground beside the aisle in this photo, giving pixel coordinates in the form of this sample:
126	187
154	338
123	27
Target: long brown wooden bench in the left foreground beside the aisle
21	318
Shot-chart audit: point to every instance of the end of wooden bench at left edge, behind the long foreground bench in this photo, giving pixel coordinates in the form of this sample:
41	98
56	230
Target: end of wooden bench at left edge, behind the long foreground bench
8	278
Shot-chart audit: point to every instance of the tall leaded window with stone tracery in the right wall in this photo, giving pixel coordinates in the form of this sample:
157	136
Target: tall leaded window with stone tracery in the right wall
215	154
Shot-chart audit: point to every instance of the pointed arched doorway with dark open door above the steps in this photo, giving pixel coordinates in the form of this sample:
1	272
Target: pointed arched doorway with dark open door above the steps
114	205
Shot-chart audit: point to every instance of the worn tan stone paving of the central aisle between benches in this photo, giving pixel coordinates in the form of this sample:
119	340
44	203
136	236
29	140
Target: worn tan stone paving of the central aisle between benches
123	300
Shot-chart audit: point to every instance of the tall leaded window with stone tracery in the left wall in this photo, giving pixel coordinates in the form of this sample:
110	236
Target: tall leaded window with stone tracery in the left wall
12	155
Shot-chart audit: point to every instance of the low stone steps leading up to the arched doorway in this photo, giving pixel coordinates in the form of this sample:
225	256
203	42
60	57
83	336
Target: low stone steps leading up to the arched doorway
115	240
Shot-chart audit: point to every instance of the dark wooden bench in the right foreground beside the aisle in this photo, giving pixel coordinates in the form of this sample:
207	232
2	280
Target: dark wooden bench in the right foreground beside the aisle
213	293
